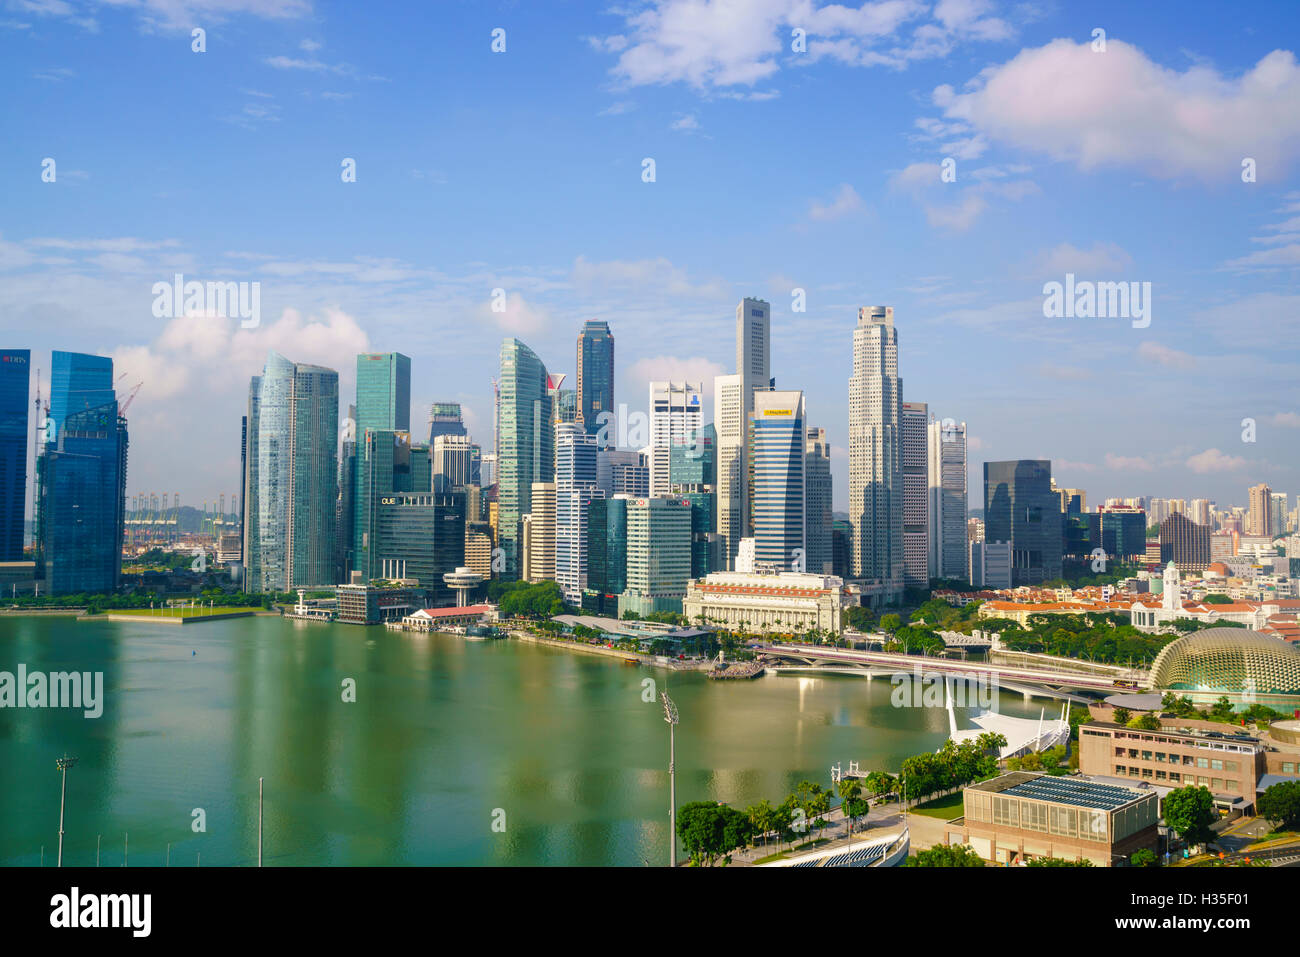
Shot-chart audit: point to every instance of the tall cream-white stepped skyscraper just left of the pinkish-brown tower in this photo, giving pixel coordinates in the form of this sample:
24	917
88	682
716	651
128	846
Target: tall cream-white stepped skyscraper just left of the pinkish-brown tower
876	454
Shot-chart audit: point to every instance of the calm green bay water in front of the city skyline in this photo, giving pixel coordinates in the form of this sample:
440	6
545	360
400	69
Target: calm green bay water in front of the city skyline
443	734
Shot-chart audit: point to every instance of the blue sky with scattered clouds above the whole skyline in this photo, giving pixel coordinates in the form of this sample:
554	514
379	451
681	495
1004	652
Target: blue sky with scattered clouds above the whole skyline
774	170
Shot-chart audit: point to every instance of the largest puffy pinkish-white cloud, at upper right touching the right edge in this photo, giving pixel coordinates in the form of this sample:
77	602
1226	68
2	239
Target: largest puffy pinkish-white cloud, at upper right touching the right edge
1119	109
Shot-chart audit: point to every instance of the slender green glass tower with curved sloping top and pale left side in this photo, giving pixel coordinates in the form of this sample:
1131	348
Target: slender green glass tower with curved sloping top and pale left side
526	444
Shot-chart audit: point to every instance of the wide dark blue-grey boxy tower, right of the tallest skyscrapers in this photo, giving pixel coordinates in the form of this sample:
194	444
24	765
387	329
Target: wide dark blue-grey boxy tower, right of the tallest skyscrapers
1022	509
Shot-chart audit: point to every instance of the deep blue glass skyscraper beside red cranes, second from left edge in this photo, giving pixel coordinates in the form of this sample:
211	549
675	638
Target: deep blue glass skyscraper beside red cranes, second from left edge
84	478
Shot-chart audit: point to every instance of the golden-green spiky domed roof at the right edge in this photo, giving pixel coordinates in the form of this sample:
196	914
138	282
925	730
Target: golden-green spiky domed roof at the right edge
1223	660
